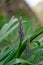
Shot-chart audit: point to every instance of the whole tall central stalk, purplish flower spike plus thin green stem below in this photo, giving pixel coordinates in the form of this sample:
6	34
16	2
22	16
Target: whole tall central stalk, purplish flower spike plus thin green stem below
21	35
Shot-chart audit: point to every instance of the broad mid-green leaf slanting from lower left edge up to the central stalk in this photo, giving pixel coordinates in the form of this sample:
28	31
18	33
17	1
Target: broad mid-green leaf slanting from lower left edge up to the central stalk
8	51
